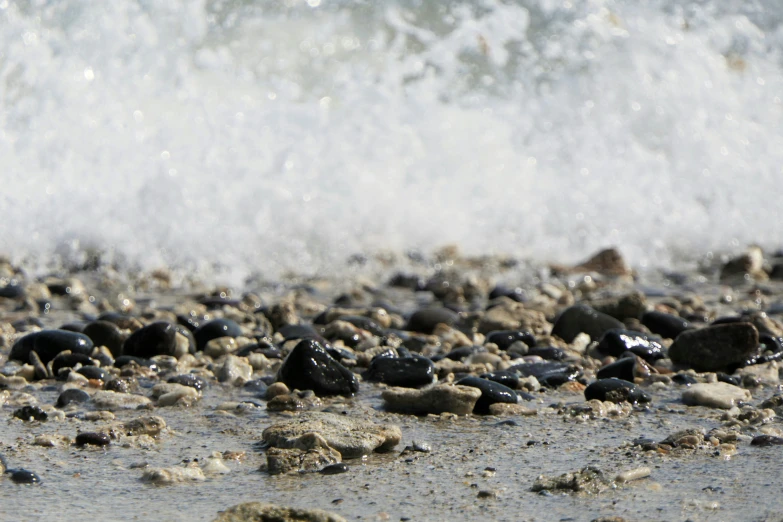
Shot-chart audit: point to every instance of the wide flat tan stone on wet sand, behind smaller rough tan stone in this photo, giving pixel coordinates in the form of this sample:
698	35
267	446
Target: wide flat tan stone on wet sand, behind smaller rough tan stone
353	438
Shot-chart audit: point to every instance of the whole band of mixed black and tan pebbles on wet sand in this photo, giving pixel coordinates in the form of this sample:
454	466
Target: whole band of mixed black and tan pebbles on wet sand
445	340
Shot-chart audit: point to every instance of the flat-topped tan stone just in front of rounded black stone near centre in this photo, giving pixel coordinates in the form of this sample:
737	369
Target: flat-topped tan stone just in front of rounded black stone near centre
440	398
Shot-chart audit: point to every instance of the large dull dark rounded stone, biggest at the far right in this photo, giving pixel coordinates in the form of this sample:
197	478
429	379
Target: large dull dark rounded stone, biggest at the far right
715	348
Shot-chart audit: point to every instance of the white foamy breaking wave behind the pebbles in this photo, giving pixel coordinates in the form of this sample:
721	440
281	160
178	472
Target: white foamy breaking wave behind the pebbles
244	136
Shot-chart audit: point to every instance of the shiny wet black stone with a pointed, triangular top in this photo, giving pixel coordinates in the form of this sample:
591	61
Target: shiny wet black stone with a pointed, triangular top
310	367
